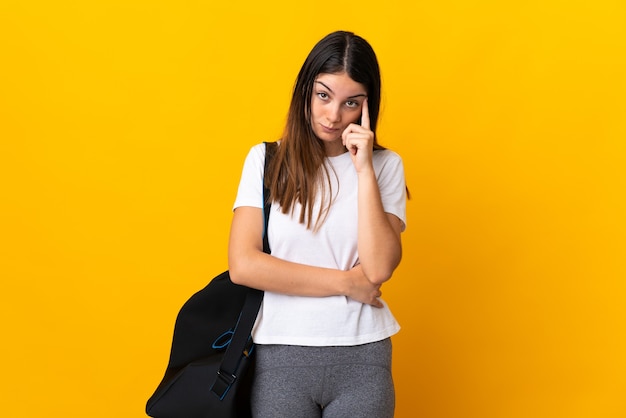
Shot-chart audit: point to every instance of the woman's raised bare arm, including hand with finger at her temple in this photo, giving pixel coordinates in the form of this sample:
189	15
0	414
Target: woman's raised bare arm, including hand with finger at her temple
379	243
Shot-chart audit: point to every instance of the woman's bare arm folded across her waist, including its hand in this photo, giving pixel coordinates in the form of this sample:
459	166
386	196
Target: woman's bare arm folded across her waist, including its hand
250	266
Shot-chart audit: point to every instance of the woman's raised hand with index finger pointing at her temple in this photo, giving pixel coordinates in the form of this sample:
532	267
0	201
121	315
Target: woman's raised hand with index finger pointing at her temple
359	140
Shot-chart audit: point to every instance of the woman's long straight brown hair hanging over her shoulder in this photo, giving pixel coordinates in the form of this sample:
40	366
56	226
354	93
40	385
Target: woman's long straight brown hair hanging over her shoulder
297	173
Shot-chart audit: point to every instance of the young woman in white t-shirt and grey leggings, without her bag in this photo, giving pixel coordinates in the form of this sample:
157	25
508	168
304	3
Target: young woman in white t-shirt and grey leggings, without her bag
338	208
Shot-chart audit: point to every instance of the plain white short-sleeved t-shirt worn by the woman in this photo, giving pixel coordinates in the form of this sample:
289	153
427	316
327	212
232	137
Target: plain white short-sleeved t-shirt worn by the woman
334	320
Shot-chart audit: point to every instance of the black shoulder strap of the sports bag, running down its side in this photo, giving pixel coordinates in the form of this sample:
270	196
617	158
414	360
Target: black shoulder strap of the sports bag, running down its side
241	342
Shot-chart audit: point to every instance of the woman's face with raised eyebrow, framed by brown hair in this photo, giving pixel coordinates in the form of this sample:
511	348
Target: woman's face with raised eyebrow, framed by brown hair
336	102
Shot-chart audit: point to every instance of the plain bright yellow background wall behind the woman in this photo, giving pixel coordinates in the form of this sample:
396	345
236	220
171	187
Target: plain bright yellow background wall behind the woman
124	124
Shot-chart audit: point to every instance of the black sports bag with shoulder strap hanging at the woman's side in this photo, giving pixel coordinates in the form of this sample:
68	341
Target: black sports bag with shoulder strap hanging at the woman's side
212	349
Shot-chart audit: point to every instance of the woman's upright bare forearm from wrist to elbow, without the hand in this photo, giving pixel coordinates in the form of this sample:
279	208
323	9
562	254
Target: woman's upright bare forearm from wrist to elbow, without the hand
379	245
